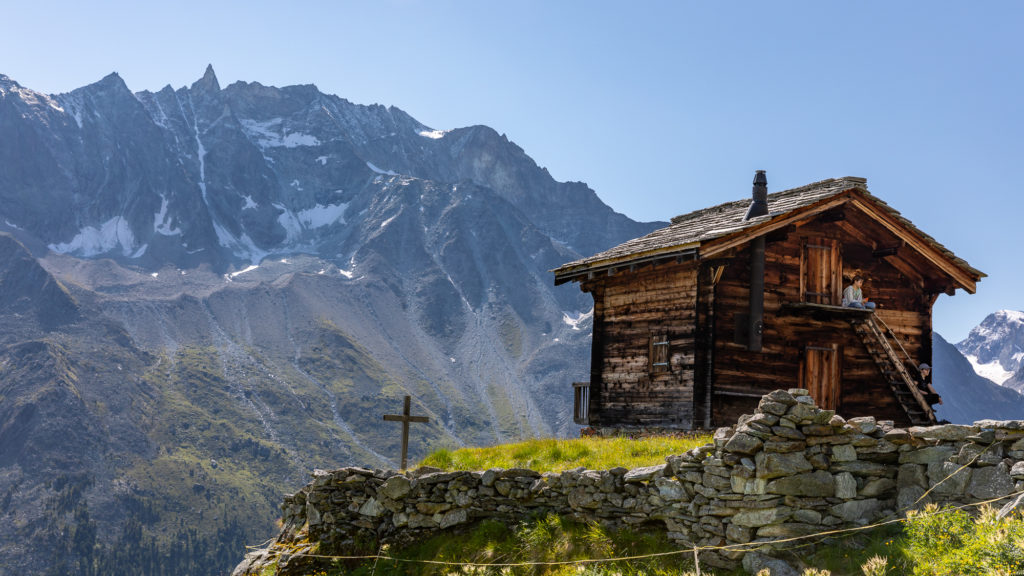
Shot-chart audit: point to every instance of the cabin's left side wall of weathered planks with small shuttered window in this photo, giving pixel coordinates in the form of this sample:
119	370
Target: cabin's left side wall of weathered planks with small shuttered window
629	309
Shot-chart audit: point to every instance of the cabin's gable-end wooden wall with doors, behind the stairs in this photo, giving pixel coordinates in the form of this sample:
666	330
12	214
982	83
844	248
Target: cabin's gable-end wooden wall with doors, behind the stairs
904	305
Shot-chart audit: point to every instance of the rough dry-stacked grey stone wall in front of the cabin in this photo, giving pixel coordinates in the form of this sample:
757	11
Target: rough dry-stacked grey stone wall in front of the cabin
789	470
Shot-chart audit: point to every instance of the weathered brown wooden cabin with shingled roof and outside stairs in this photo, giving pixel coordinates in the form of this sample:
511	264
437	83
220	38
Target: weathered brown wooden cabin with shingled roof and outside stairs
695	322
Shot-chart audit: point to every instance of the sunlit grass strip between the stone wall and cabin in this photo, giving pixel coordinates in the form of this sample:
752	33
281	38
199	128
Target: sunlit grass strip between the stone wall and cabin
557	456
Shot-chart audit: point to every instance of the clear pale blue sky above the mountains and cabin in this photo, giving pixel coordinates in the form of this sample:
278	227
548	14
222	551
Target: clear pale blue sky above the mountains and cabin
662	107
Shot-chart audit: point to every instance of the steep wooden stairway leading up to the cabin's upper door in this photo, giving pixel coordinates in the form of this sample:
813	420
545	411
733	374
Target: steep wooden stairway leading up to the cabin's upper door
903	384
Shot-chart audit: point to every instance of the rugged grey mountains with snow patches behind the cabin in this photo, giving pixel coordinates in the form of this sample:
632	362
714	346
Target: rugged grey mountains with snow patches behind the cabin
208	293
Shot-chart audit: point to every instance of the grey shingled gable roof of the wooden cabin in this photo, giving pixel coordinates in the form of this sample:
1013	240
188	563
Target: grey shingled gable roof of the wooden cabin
688	233
